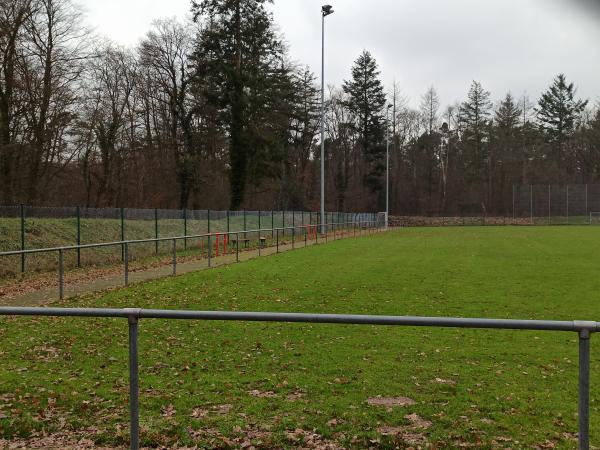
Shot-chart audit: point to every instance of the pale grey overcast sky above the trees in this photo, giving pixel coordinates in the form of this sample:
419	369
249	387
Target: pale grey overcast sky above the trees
516	45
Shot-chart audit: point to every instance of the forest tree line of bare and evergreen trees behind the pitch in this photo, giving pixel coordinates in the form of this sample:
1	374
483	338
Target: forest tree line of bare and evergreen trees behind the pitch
213	113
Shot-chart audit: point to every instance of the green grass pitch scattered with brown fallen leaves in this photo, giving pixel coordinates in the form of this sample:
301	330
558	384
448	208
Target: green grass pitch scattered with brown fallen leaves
228	385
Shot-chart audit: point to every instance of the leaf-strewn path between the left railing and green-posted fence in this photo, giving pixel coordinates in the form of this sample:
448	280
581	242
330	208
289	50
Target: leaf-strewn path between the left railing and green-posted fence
44	289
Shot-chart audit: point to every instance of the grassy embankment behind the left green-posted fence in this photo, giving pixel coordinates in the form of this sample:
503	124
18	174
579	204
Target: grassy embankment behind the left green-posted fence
48	233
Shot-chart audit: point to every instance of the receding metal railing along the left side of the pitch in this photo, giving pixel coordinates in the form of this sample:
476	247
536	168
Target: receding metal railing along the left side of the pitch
212	239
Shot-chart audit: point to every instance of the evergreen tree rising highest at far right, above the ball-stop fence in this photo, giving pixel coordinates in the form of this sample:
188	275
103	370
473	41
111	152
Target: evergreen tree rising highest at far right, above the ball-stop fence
558	112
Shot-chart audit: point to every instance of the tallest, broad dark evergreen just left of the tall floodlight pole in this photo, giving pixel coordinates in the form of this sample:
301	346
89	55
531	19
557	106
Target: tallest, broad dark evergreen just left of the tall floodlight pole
240	69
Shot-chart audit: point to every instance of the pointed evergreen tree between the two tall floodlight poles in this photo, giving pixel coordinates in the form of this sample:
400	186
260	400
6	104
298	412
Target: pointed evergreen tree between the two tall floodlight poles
366	100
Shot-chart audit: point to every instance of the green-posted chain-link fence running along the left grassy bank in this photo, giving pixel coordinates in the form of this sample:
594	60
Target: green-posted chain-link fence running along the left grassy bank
25	227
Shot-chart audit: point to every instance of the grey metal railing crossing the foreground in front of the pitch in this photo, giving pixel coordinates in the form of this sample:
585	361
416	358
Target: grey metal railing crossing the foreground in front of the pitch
584	329
